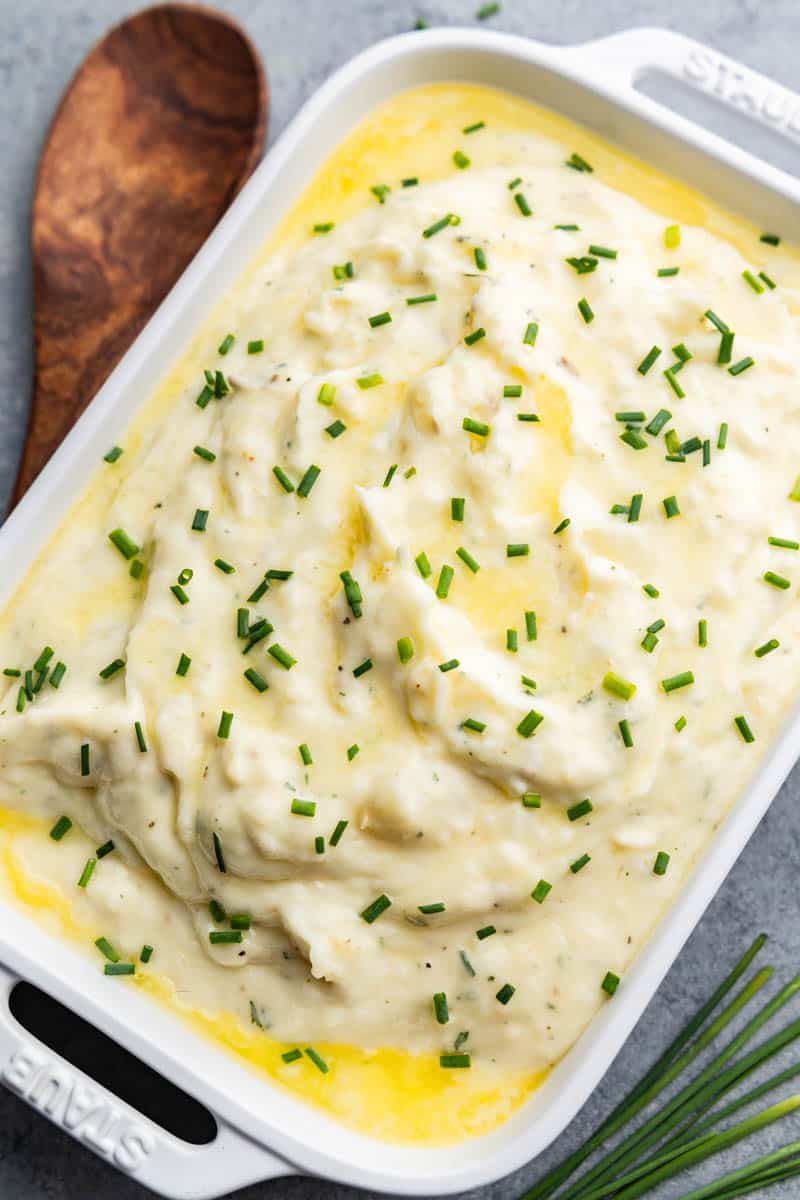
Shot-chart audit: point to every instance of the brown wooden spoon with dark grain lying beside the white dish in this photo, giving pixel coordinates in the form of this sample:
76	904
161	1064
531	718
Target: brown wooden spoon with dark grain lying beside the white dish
158	131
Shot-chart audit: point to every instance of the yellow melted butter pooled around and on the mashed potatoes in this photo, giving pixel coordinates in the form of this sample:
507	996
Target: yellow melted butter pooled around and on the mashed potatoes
387	1094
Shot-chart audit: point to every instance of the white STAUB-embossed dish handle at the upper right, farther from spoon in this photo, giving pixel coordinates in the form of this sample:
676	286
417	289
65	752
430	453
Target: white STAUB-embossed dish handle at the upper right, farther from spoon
623	59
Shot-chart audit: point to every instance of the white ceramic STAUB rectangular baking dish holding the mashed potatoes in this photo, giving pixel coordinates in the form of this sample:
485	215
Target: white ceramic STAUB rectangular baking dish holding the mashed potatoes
263	1131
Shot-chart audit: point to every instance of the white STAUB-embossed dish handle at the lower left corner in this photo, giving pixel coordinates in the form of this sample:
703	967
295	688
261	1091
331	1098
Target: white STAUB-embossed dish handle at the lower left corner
115	1131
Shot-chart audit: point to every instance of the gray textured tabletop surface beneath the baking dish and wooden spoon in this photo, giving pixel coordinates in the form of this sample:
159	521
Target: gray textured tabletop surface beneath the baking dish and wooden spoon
41	44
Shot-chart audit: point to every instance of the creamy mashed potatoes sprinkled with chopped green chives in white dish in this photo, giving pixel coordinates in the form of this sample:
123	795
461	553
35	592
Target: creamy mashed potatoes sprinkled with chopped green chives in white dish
417	650
